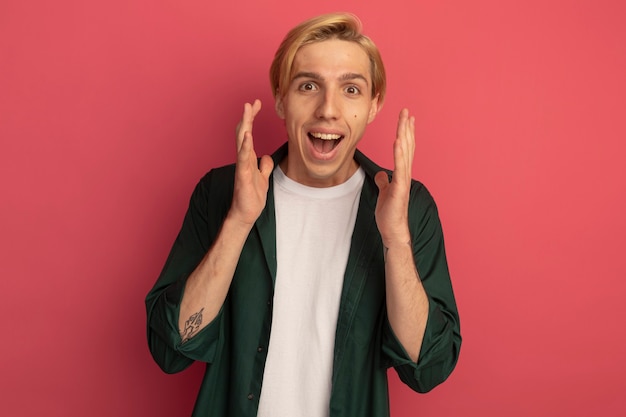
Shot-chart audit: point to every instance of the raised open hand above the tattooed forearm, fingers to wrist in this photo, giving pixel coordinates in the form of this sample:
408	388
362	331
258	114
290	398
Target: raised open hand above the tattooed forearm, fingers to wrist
251	179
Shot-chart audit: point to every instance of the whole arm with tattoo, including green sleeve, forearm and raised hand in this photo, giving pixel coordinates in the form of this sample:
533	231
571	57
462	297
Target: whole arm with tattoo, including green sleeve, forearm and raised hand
201	263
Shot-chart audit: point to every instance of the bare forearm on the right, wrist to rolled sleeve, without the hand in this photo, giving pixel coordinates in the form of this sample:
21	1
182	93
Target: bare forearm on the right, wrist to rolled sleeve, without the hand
407	302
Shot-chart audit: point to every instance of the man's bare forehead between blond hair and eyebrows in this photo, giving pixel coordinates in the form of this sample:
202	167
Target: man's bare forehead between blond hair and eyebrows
332	58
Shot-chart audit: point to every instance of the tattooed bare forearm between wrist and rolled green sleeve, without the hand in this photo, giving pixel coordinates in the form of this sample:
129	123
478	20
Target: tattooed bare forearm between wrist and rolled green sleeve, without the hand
207	286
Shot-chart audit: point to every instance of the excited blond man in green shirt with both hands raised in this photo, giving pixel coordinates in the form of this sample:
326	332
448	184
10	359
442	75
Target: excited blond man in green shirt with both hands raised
302	277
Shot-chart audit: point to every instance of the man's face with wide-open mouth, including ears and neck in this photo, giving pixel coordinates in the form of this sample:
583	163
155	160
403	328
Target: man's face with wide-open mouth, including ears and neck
326	108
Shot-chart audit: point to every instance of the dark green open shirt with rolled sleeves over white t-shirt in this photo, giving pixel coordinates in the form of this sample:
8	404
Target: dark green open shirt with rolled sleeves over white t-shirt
234	344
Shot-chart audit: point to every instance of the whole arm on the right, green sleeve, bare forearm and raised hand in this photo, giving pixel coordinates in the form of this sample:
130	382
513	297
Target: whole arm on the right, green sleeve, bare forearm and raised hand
423	338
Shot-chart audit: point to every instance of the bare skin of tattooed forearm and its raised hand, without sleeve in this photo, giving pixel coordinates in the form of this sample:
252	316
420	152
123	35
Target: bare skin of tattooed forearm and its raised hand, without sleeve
207	286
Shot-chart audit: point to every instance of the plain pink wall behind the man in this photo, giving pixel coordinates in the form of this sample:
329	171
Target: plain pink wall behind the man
111	111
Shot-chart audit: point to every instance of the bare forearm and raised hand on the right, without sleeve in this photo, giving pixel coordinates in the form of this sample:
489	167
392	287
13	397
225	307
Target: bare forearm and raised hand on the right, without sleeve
407	302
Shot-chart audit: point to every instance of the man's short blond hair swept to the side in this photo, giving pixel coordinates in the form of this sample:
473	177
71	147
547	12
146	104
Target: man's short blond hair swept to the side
343	26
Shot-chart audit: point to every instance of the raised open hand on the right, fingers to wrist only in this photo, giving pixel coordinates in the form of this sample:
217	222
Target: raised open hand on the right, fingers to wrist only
393	199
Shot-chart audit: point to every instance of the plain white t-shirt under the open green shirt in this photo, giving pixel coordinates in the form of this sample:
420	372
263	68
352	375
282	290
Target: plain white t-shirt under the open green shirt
313	231
